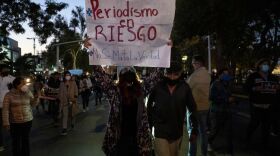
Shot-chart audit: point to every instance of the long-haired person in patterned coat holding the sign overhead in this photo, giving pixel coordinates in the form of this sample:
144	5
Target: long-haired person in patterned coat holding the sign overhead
127	132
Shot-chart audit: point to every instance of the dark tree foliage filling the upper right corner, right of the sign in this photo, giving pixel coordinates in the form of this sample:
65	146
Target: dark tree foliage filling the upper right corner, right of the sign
239	29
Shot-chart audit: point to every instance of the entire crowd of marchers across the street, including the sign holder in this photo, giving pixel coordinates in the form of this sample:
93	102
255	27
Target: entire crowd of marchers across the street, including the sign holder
137	127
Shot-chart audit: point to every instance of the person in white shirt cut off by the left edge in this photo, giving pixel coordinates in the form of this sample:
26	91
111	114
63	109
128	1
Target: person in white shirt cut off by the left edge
5	81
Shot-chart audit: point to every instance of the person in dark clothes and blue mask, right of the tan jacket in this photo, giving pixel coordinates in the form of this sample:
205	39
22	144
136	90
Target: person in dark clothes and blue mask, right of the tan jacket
220	109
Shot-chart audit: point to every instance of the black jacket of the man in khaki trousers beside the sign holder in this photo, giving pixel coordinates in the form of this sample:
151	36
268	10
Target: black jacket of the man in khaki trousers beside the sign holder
167	111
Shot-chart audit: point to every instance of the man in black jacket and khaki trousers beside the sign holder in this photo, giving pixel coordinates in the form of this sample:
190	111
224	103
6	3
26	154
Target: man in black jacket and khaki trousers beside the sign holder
167	105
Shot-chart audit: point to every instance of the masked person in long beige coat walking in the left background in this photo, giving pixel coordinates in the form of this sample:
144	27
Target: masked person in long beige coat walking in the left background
68	94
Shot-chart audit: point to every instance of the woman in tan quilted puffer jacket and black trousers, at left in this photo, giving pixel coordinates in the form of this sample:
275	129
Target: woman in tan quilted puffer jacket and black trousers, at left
17	115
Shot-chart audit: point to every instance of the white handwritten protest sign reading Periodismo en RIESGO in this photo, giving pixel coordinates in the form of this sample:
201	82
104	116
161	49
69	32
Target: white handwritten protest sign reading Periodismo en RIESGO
130	32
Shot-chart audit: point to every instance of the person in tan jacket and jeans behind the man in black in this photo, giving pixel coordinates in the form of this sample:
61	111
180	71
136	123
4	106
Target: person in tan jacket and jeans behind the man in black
199	82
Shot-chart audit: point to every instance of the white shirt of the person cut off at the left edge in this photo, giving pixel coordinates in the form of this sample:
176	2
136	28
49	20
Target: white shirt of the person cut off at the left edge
4	81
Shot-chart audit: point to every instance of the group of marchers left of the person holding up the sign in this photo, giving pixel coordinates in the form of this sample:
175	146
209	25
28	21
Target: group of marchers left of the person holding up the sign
56	96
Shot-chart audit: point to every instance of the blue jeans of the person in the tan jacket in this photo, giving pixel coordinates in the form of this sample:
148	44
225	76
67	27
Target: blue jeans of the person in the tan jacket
202	126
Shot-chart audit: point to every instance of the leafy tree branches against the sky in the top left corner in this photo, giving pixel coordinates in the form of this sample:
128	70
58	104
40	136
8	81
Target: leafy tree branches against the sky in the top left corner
14	13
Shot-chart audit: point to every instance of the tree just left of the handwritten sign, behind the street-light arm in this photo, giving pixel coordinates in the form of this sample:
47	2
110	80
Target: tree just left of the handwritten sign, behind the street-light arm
69	53
